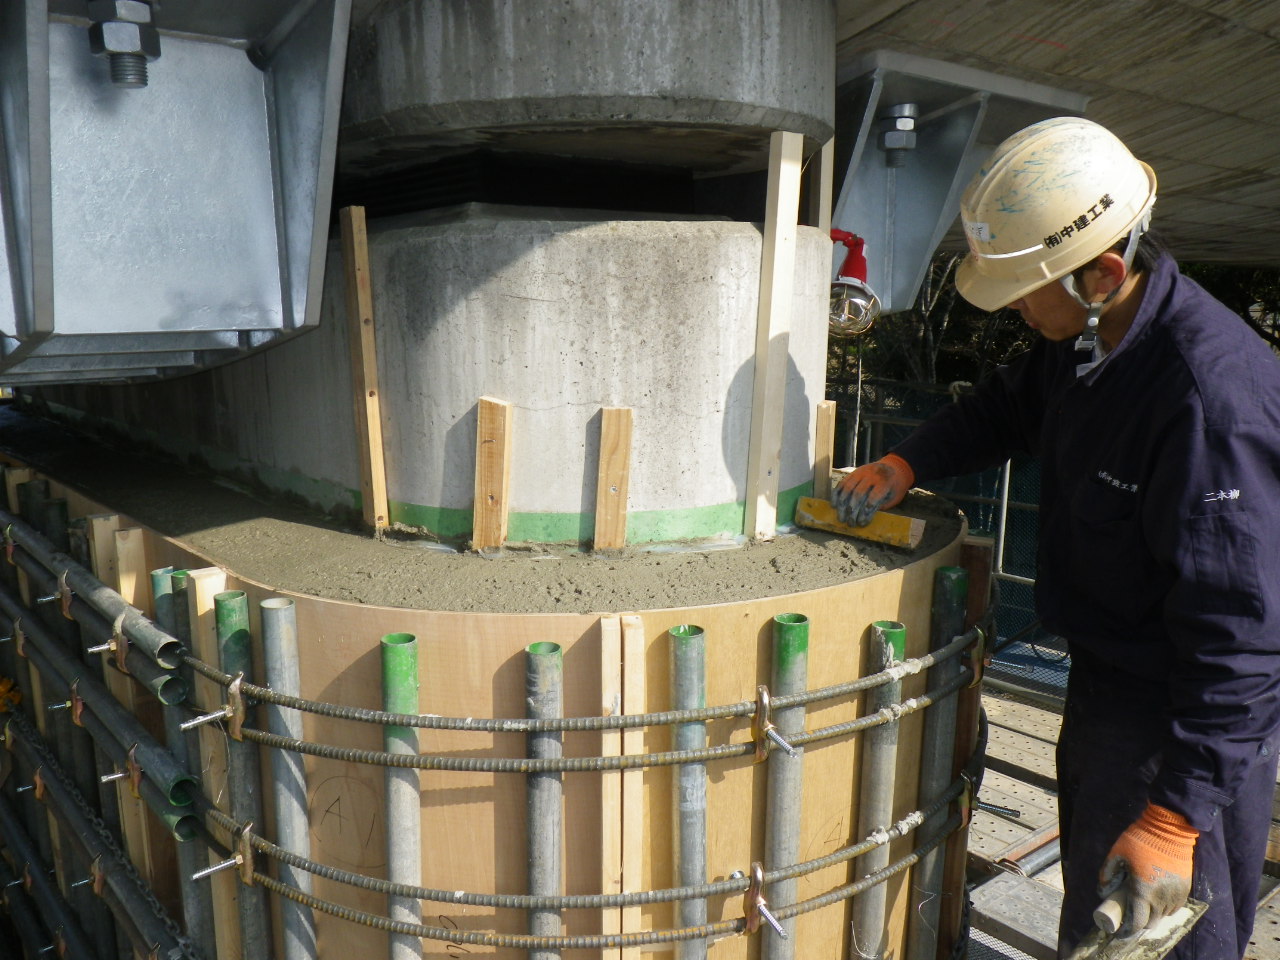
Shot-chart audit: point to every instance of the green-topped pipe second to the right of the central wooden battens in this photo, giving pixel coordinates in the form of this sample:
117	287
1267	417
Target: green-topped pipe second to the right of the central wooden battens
785	776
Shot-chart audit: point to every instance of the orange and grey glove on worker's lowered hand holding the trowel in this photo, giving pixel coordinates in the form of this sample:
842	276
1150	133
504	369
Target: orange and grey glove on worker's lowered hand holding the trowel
1154	861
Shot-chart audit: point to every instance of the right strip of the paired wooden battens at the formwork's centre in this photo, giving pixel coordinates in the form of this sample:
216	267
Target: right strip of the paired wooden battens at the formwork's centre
633	781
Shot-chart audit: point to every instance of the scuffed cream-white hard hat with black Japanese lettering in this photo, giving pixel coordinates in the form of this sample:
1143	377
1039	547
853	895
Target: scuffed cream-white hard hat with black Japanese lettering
1052	199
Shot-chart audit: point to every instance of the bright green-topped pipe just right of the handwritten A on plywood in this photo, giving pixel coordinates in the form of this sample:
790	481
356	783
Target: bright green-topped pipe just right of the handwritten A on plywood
404	801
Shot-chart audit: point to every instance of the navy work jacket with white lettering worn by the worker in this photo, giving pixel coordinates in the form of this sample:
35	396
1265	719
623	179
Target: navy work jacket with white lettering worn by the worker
1160	519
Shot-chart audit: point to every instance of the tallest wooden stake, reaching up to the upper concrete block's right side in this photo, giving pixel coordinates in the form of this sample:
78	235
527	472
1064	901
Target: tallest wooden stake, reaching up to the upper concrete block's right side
774	335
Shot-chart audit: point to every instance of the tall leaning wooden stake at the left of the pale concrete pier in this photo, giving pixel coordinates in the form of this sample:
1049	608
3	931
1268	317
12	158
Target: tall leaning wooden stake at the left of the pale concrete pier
364	368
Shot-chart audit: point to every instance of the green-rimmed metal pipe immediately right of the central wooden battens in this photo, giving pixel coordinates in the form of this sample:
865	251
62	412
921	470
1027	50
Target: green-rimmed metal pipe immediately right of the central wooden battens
689	693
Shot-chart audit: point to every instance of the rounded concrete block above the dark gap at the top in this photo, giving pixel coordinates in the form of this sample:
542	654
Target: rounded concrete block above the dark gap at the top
697	85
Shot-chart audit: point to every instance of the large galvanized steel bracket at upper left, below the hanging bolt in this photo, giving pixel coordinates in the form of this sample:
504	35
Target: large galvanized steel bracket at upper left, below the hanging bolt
186	218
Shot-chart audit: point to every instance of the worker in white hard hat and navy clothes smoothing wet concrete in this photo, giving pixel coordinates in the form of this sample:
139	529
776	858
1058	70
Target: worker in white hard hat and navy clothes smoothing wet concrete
1155	414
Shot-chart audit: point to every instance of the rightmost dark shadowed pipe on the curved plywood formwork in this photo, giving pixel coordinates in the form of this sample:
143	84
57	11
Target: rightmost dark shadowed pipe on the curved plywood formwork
938	751
